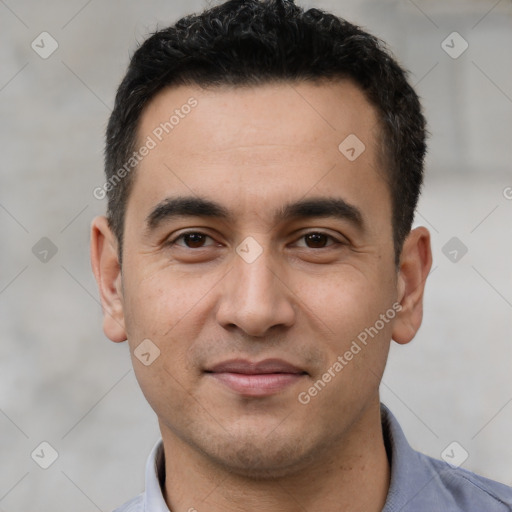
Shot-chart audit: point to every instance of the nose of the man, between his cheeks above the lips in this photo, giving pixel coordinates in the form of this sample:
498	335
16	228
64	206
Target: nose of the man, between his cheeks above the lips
256	296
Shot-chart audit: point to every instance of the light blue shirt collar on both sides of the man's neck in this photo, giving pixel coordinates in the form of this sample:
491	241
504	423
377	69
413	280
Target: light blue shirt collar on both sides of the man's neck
409	475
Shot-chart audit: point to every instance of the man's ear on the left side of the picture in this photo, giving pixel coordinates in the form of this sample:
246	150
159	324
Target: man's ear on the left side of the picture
106	268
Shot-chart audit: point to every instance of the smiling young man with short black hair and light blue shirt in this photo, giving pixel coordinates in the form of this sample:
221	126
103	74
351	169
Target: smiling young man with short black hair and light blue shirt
263	167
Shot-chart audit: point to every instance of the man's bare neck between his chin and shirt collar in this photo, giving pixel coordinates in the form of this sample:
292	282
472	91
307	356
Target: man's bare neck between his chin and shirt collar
353	475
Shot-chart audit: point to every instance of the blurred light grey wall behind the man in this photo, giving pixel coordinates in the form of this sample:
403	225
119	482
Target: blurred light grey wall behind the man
63	382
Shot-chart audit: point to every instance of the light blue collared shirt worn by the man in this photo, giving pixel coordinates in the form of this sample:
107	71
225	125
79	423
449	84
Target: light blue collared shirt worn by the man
418	483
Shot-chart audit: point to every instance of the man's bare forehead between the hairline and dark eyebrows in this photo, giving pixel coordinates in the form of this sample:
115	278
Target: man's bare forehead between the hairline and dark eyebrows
273	141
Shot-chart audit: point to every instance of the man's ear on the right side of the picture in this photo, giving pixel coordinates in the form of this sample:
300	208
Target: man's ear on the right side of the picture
415	264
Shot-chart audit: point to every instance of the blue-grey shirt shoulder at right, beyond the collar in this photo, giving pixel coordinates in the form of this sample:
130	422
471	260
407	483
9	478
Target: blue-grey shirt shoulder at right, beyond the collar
466	490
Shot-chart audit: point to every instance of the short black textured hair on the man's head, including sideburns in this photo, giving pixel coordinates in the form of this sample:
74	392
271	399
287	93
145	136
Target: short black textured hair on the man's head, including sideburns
253	42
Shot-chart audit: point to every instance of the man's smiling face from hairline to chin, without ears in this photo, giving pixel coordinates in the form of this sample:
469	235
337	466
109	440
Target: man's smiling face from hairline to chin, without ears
257	286
